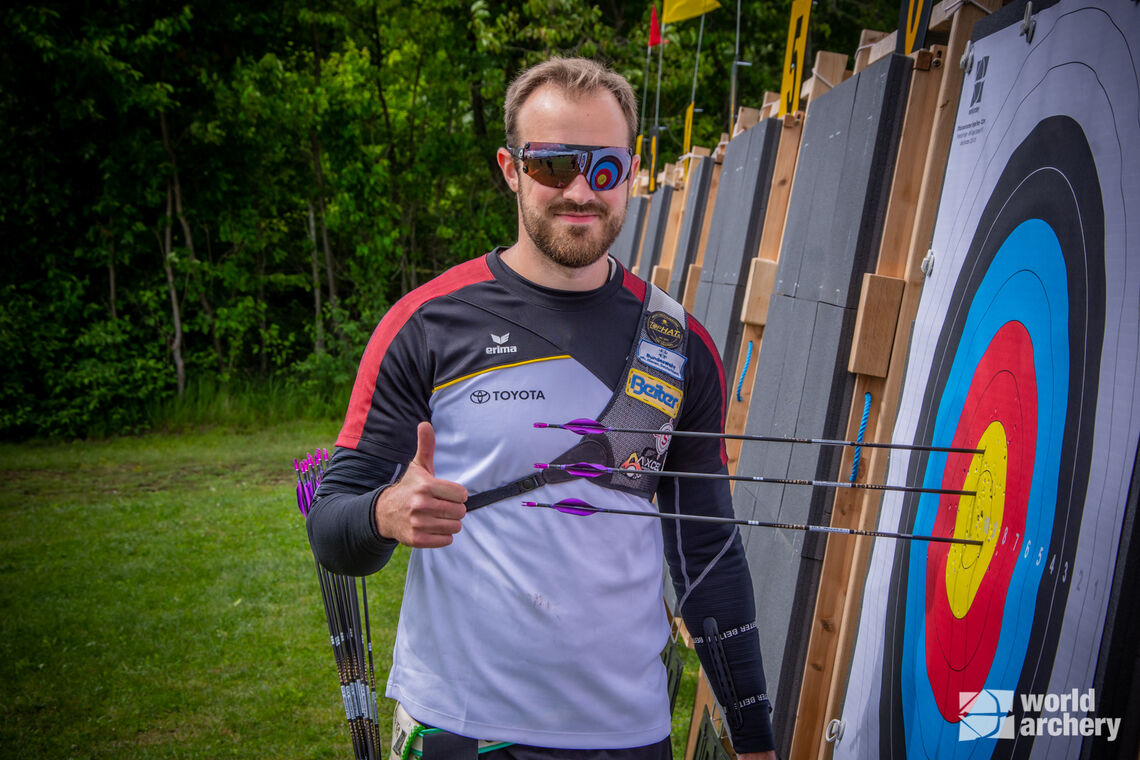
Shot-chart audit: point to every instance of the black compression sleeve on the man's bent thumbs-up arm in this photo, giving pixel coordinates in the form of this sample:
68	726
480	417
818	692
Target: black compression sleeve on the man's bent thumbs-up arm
341	527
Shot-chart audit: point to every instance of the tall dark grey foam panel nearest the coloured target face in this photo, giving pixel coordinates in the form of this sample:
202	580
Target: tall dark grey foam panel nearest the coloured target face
833	234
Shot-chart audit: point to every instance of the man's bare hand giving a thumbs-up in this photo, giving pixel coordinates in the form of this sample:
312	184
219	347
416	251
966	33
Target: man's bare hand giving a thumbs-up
420	510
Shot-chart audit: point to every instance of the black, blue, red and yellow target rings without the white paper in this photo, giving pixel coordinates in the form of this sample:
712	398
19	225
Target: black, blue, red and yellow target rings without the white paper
1012	378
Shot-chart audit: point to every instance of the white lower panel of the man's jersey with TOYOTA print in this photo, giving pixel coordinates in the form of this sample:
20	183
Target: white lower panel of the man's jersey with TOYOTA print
469	658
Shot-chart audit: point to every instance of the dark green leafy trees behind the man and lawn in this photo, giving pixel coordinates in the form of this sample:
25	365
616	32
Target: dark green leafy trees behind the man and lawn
237	192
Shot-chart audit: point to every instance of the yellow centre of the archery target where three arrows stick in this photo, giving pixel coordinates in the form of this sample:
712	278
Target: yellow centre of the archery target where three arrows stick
979	518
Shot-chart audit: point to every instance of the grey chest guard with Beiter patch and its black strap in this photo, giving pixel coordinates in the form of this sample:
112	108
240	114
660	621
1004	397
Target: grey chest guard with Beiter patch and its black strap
649	397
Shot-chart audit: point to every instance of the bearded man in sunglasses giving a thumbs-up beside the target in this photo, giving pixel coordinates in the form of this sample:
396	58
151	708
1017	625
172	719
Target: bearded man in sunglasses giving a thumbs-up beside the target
525	633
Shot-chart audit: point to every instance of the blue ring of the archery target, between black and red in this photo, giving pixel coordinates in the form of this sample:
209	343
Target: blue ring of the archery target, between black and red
1038	299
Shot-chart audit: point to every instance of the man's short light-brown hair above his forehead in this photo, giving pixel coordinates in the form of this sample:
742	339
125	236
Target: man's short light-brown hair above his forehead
576	77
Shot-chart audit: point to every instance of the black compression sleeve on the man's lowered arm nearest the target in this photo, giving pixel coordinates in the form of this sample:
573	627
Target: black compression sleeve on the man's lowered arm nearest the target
712	581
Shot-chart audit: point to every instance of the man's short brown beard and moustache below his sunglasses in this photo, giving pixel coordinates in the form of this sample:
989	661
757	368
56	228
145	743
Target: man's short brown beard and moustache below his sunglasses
574	247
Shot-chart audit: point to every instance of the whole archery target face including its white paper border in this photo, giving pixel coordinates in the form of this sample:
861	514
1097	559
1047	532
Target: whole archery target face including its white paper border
1027	347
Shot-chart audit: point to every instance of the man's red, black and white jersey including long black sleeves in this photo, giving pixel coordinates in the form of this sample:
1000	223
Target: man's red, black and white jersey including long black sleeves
536	627
